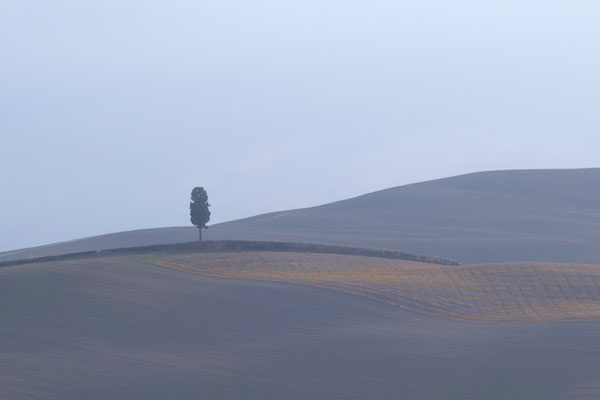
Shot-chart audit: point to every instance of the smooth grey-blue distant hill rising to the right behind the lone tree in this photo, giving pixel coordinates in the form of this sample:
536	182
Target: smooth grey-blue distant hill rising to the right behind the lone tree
499	216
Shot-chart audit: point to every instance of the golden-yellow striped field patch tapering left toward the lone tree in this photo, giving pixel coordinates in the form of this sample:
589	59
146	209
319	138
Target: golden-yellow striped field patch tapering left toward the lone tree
510	292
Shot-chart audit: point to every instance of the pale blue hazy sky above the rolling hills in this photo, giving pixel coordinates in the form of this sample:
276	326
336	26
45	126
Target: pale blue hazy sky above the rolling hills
111	111
